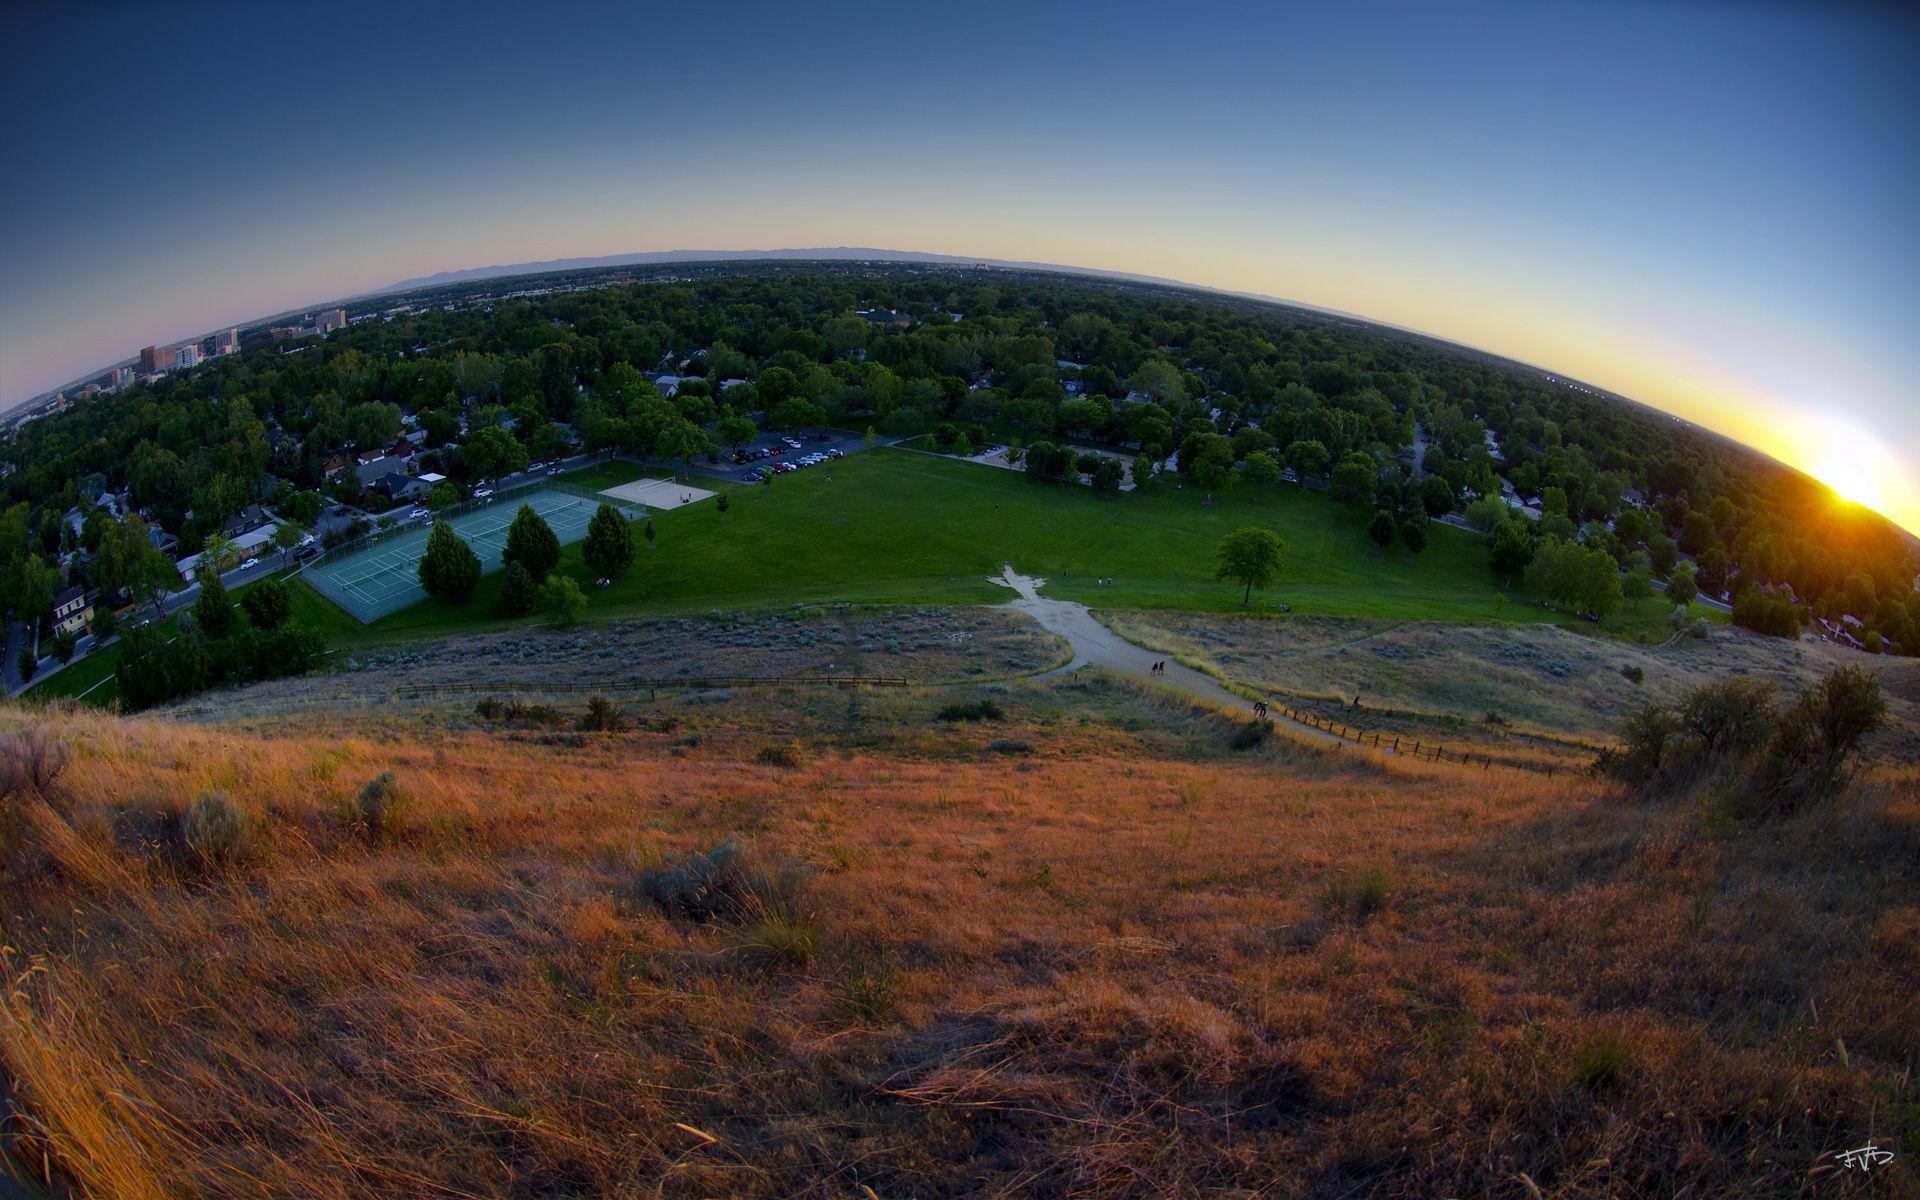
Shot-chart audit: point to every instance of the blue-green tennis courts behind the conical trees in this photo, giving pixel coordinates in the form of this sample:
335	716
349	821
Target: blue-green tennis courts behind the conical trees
385	577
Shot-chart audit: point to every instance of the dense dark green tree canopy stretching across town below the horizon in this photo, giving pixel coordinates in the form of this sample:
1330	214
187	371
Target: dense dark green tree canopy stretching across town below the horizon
491	381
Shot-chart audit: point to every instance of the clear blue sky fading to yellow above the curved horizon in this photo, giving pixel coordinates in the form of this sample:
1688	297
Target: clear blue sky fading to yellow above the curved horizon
1702	206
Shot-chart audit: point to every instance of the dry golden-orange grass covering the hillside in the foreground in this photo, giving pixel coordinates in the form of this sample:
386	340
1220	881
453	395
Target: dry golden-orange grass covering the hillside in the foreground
1113	967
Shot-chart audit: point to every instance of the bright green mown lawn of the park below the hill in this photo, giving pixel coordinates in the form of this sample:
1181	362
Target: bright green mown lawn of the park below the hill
903	527
